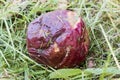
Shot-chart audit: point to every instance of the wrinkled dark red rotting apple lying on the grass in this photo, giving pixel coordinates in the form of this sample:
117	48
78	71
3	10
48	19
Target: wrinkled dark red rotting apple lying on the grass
58	39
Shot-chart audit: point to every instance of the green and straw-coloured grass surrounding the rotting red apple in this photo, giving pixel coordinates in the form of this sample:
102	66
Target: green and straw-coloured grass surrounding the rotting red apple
102	18
